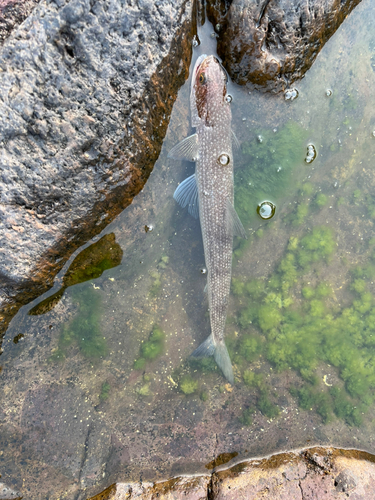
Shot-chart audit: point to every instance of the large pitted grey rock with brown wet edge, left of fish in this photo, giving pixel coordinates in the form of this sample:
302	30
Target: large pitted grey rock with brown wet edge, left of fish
86	91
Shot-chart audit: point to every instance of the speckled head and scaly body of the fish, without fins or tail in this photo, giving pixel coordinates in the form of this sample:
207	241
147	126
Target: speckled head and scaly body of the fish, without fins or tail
215	187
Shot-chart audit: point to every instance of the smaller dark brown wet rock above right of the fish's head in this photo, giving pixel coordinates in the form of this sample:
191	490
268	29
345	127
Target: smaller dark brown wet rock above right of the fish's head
272	43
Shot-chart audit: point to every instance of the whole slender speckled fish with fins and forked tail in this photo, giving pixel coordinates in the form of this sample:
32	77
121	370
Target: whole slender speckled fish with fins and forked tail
209	194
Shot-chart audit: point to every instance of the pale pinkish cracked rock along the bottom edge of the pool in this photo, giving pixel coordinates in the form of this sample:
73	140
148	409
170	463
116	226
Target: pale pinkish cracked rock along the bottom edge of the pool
312	474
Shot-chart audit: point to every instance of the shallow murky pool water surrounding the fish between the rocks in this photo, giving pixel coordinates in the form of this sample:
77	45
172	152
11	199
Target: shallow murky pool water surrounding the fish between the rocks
97	386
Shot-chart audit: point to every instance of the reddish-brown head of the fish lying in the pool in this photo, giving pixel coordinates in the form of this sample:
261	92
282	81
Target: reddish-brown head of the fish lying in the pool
208	91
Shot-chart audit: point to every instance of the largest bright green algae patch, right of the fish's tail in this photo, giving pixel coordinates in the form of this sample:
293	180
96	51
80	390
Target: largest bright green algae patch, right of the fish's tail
313	331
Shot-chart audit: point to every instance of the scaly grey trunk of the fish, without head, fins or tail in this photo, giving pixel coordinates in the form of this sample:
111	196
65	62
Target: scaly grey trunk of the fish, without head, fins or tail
215	188
